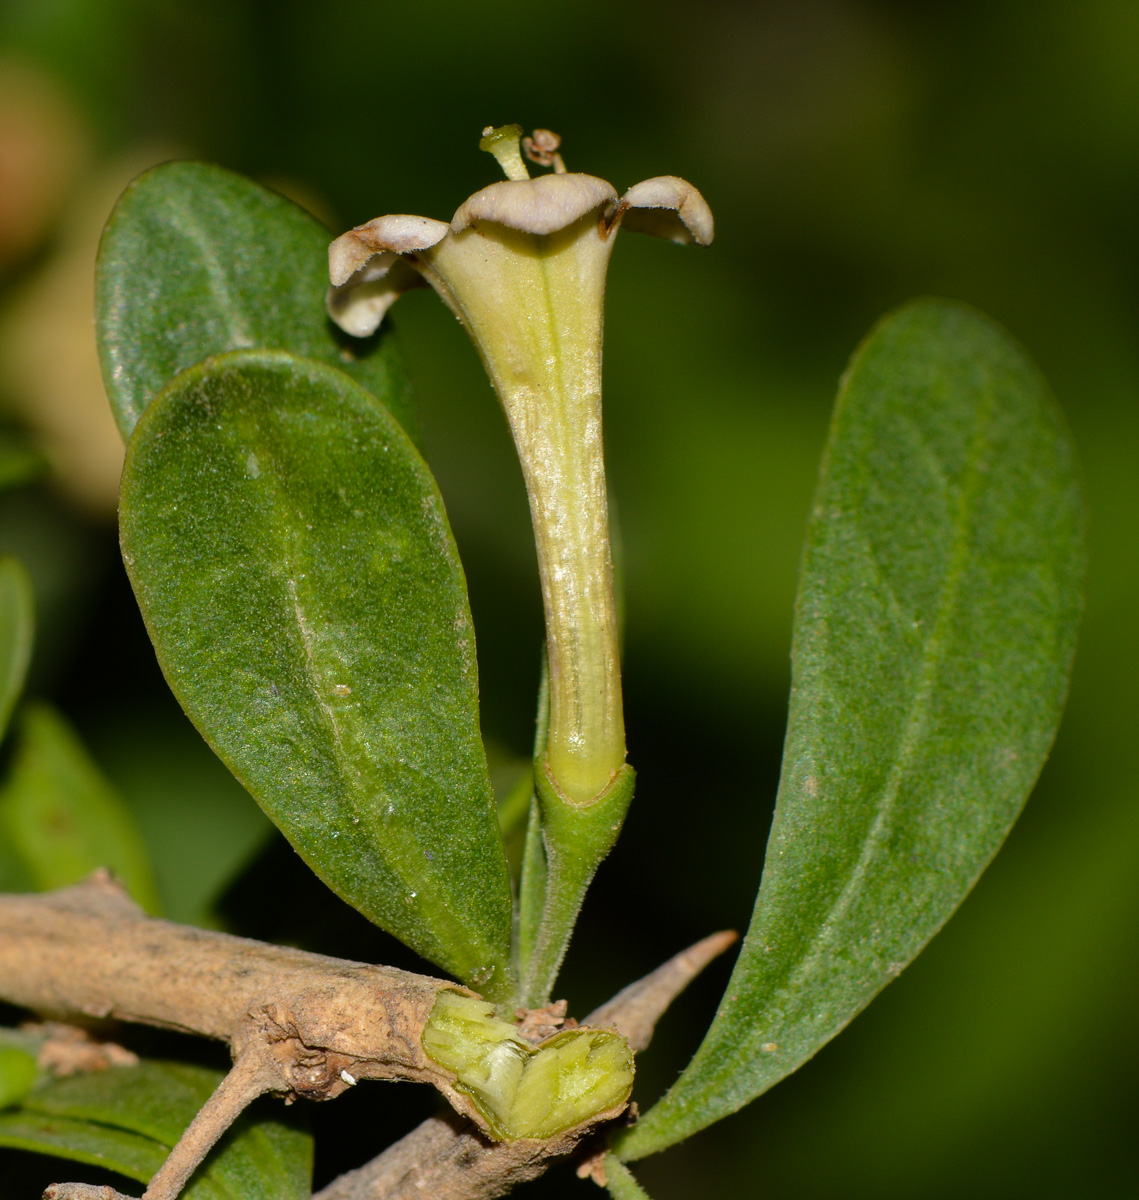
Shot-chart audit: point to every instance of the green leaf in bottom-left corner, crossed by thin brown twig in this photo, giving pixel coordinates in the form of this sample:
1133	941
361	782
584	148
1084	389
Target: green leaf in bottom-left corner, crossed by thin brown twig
128	1120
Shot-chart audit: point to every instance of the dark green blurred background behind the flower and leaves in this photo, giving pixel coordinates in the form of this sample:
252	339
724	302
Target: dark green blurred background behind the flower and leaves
856	153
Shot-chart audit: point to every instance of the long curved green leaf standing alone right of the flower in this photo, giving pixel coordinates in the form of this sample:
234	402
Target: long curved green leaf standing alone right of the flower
934	634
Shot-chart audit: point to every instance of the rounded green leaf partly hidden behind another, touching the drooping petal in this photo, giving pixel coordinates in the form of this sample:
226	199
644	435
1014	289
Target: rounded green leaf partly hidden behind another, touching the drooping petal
197	261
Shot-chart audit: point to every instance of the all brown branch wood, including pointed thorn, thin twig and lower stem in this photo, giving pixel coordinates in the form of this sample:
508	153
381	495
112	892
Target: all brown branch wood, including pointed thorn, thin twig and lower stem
298	1021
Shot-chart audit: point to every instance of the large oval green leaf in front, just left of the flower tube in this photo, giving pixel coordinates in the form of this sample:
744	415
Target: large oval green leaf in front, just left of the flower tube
296	569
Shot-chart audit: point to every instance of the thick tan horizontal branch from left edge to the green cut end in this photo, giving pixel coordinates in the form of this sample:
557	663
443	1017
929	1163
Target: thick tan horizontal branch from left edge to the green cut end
89	952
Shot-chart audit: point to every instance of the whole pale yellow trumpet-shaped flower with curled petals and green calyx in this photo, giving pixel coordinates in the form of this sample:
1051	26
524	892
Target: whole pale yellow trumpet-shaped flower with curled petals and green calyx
523	265
